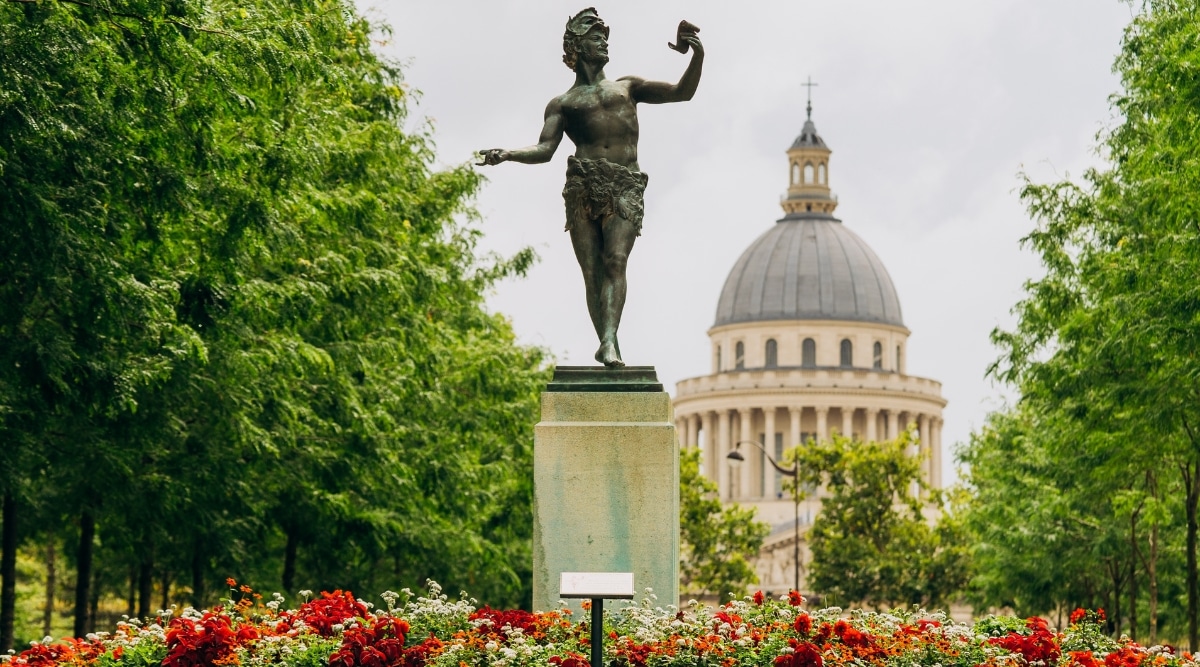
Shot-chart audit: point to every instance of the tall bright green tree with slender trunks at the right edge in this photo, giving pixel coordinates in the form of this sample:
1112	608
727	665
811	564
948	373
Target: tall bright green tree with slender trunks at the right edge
1106	341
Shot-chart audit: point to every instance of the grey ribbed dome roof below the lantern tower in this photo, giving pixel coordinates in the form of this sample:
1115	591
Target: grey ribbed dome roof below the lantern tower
809	267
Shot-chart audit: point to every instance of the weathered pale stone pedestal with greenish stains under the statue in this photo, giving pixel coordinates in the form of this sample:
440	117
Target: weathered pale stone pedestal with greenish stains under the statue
607	483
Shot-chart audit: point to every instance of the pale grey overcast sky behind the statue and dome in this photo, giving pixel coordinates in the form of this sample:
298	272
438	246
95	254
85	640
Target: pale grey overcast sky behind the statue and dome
932	110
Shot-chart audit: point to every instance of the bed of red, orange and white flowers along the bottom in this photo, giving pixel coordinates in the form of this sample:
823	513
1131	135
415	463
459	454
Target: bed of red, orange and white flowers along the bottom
338	630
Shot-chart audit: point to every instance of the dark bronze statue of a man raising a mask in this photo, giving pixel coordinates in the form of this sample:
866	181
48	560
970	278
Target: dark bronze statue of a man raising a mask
604	185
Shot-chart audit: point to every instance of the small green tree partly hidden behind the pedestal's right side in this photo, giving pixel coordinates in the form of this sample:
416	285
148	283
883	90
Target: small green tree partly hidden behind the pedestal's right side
717	540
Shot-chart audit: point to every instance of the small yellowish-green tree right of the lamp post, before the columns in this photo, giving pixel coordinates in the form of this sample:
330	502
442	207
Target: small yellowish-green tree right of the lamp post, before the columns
873	544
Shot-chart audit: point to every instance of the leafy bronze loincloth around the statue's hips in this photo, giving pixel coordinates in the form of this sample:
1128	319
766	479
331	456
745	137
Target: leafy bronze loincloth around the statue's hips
598	190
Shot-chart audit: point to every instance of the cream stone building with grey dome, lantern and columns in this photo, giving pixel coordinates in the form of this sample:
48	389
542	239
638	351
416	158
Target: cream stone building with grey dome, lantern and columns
809	340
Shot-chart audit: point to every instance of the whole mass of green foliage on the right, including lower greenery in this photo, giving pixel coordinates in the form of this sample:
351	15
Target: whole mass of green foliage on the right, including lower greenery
1105	359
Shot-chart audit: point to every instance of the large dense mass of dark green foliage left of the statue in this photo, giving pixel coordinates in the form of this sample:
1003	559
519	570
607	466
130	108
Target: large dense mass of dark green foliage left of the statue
242	325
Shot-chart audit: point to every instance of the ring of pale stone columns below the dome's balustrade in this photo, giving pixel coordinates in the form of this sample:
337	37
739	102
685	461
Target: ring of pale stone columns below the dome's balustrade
782	428
